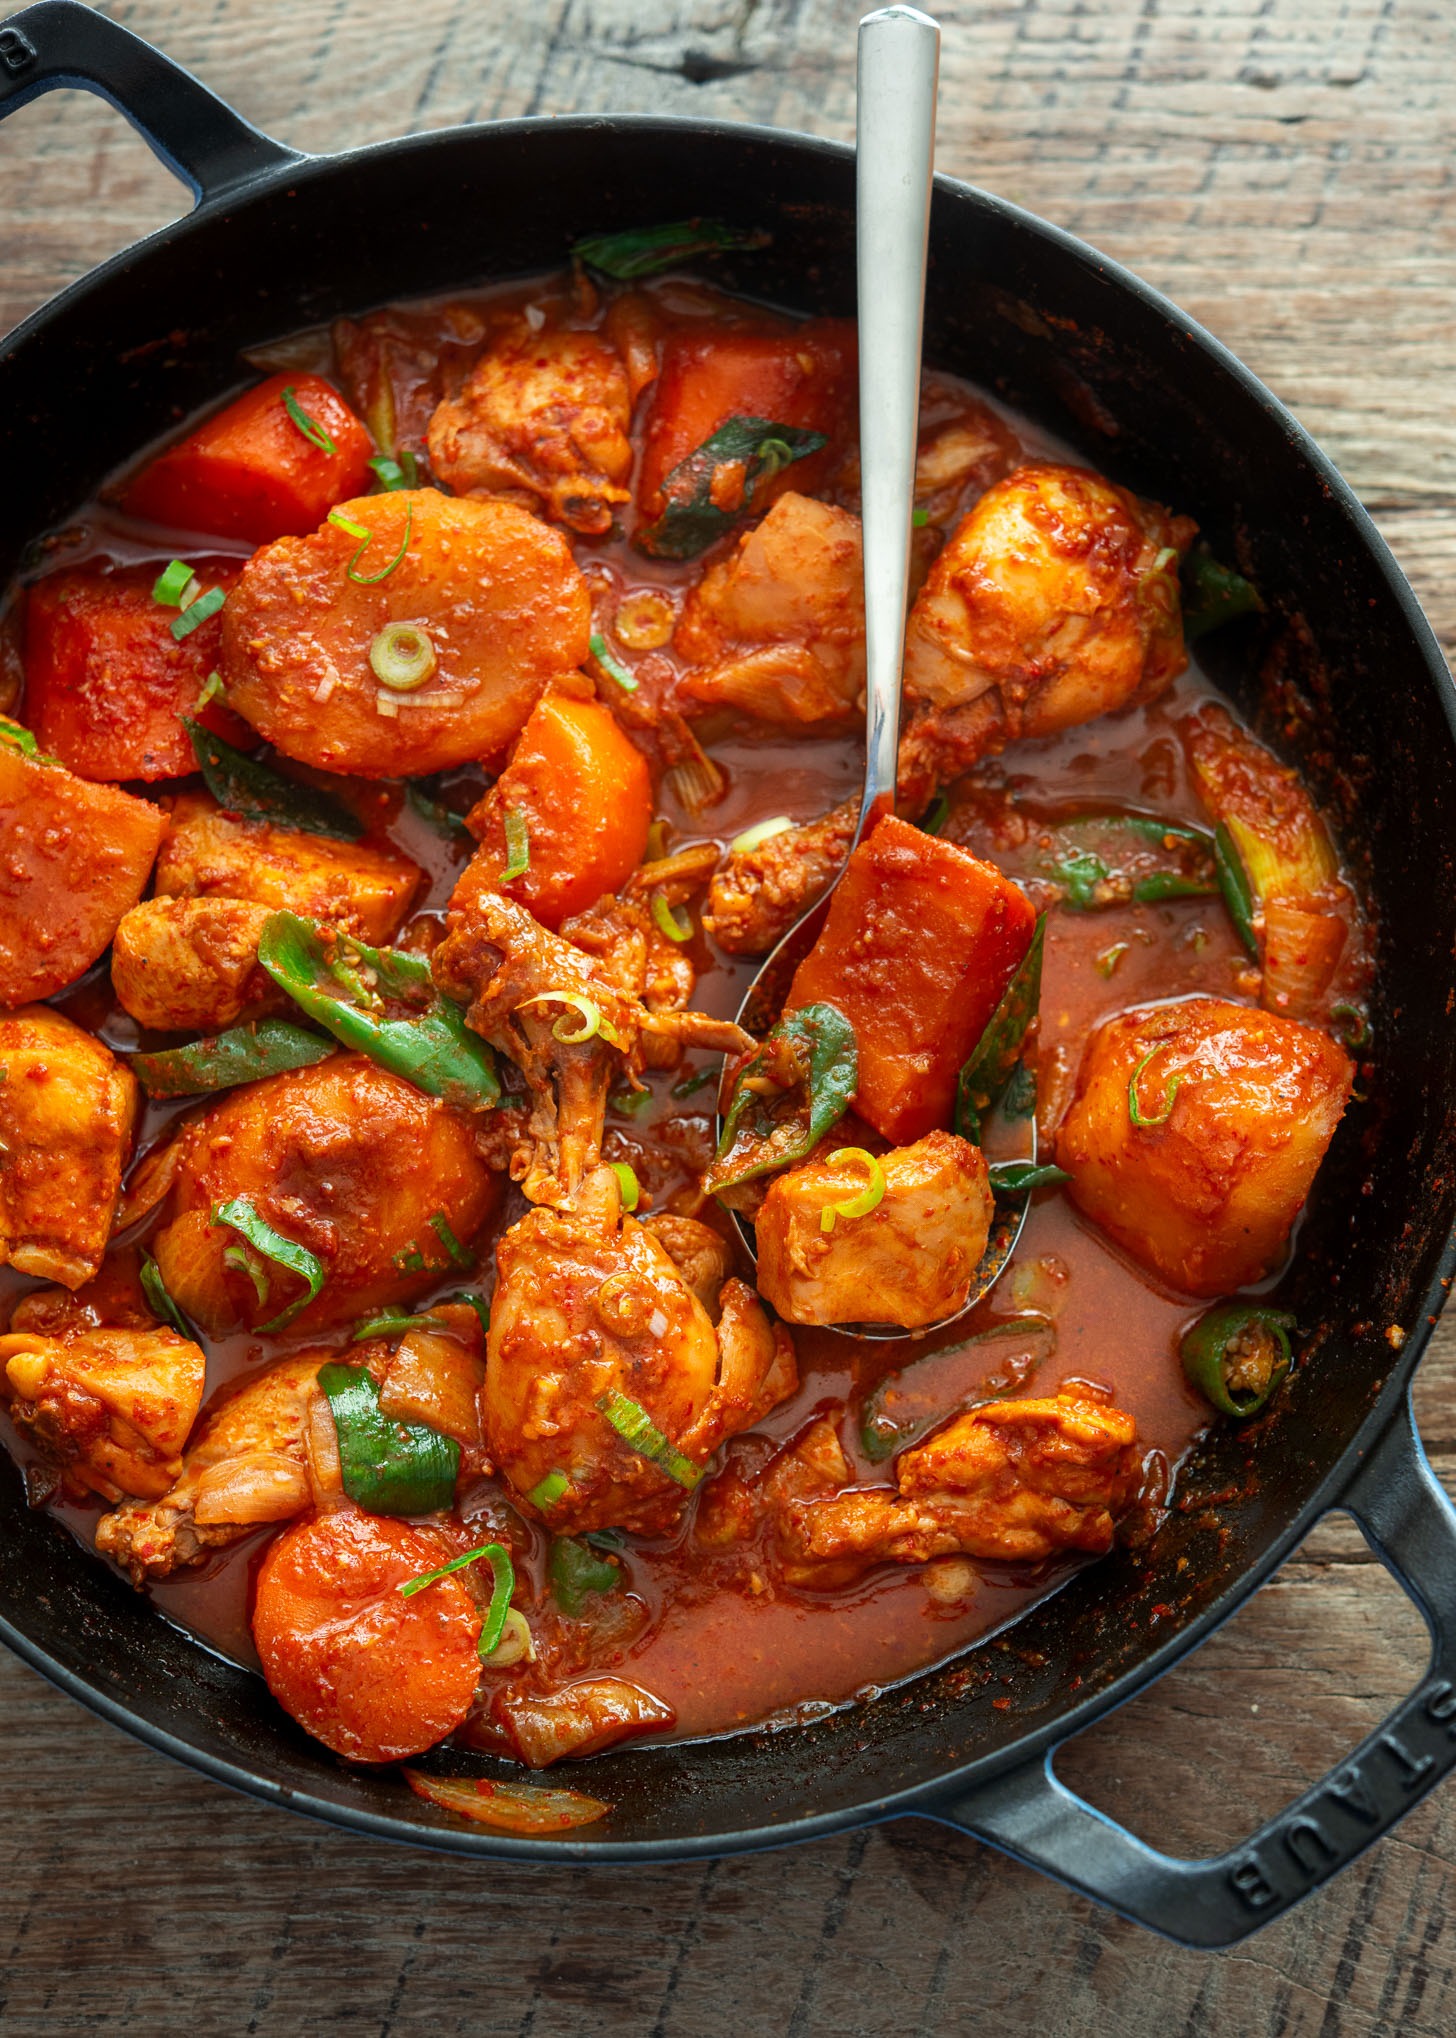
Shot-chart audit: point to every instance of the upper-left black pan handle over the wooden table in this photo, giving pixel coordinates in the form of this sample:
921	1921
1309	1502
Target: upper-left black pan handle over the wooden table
193	131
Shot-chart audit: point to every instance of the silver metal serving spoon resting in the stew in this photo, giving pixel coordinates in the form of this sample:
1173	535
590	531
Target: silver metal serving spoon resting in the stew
894	158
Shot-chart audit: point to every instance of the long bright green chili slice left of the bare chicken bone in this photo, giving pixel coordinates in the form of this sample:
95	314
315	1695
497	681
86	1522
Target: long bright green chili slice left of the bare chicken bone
427	1042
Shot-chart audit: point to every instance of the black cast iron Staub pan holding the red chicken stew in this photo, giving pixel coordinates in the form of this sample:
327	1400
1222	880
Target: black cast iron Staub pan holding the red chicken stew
1347	661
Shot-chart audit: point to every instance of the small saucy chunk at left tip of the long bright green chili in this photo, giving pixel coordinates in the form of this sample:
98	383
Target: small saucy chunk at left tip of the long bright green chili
191	965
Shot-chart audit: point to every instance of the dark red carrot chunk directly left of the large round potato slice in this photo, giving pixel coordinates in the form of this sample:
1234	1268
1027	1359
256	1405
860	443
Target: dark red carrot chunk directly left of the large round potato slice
107	682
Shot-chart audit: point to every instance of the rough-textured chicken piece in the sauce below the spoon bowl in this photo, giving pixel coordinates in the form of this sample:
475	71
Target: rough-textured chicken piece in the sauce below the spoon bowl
1010	1483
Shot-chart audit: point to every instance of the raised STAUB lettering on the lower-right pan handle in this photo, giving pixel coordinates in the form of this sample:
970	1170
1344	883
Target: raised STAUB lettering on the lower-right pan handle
1312	1841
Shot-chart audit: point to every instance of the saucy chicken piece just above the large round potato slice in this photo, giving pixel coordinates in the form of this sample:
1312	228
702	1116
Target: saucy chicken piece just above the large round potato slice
545	415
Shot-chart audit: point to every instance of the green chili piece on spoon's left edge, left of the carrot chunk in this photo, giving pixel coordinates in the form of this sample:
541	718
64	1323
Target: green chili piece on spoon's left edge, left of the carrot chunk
786	1128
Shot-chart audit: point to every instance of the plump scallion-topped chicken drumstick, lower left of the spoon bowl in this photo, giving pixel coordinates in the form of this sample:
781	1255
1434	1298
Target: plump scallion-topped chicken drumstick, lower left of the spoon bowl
607	1387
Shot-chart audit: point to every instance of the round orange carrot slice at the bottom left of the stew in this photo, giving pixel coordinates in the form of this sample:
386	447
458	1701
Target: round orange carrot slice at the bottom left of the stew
368	1670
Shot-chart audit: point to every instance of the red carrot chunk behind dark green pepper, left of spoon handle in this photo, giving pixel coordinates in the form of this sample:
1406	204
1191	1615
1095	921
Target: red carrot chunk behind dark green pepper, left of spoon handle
802	378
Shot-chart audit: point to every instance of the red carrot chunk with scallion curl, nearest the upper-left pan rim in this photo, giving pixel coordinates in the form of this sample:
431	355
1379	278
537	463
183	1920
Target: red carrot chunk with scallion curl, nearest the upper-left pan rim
254	472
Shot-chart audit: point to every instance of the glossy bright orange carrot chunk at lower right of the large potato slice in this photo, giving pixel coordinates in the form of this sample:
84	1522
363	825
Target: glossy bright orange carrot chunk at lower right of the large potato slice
586	798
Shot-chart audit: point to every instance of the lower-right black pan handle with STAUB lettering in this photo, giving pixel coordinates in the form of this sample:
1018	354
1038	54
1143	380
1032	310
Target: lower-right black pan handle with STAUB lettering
1412	1525
